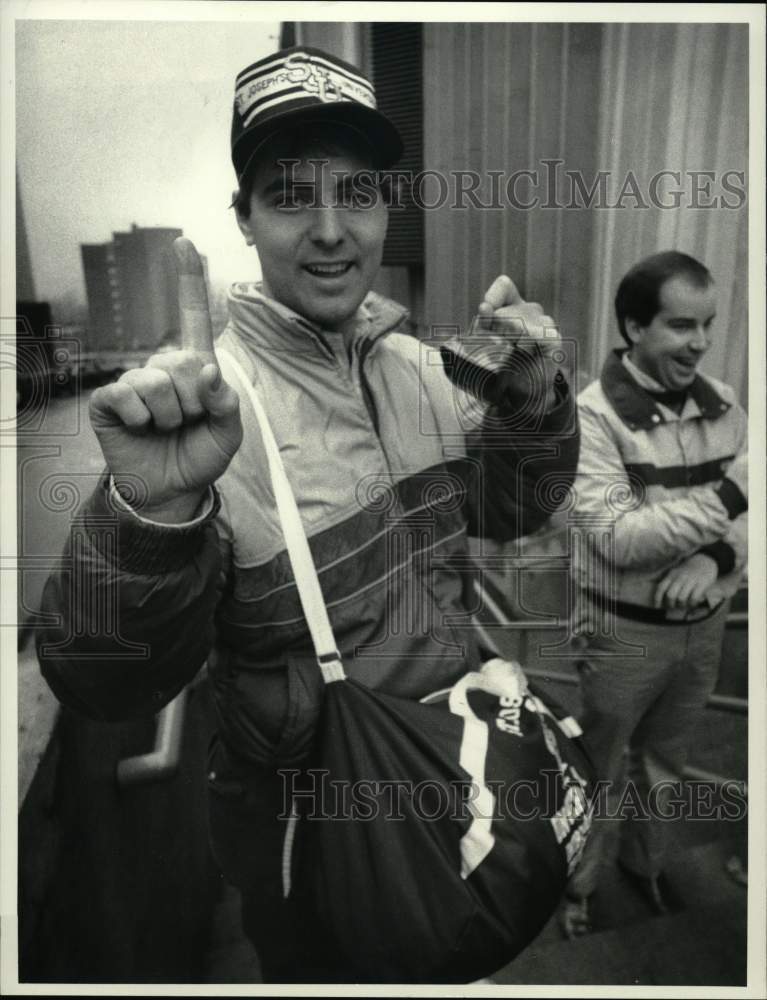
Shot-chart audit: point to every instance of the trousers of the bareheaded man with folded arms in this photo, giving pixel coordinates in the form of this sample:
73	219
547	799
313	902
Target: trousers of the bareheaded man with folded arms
648	701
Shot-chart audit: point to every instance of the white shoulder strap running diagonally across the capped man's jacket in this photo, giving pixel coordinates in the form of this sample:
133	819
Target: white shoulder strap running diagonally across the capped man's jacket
299	553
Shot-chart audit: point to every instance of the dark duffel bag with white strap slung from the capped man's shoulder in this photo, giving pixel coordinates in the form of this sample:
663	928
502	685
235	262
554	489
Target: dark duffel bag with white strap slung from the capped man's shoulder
461	816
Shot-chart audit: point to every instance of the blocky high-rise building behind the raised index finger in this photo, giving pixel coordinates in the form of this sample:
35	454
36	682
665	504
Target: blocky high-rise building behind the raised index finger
132	290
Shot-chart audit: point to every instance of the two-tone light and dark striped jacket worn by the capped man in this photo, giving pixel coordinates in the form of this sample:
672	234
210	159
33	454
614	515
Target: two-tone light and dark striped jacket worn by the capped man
391	466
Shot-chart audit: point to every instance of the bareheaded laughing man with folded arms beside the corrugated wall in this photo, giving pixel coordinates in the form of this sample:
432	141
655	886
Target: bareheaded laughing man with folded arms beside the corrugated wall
661	495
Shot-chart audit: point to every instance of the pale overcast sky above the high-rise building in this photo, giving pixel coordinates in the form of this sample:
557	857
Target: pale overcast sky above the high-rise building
128	121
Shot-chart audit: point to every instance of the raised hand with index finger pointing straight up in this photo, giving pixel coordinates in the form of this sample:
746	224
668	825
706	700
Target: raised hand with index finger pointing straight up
174	424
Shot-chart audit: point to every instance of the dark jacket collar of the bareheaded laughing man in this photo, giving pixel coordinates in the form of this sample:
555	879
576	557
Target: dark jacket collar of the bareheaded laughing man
637	408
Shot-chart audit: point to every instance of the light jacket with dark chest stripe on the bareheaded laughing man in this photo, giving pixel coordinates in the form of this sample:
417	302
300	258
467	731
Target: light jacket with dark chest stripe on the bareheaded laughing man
651	488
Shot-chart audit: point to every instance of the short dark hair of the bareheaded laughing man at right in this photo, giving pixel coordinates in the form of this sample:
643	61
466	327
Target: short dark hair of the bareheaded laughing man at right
638	295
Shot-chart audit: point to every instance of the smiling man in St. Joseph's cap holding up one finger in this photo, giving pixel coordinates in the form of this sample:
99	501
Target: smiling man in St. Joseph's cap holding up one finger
388	478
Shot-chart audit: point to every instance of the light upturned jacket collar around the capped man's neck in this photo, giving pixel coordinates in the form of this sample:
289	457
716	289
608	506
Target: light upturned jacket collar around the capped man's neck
255	317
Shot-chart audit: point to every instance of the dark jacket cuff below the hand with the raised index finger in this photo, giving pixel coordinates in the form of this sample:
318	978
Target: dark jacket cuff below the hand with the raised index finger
139	546
